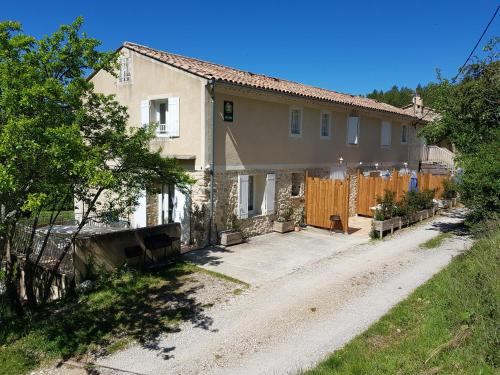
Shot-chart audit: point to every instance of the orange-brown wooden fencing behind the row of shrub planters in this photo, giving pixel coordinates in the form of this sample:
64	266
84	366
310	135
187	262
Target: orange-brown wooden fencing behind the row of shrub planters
369	188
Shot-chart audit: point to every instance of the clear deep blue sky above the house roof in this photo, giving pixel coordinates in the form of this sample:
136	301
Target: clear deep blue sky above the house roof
348	46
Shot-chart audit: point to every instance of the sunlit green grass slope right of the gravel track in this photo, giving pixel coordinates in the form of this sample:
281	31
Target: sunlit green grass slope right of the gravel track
450	325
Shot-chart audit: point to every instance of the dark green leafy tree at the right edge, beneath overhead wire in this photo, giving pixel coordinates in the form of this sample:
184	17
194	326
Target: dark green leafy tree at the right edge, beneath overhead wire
470	118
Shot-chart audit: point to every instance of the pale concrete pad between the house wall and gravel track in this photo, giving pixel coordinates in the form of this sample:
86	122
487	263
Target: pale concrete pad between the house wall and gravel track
271	256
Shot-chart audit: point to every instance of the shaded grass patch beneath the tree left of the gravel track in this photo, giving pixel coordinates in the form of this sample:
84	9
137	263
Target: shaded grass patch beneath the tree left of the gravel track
124	307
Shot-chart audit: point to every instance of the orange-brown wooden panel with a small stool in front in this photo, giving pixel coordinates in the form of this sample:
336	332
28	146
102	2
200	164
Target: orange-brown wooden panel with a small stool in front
325	197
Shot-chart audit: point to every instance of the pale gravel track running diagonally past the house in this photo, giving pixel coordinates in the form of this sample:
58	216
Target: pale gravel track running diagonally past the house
293	322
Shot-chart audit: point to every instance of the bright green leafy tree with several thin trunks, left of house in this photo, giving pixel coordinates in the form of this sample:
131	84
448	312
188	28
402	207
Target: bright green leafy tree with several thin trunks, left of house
60	140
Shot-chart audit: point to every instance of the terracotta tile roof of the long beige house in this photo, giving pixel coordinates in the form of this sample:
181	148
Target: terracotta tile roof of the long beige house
234	76
